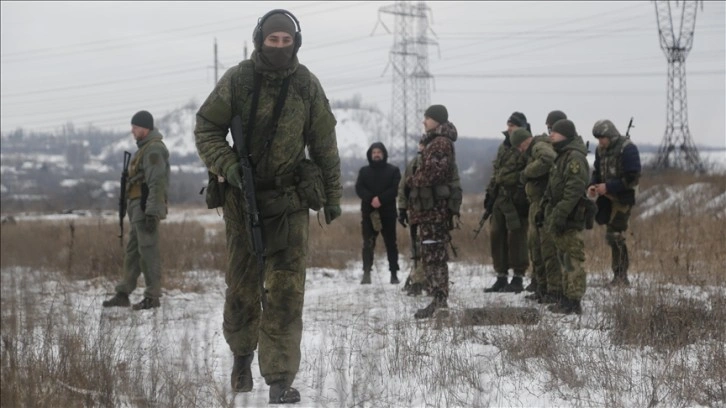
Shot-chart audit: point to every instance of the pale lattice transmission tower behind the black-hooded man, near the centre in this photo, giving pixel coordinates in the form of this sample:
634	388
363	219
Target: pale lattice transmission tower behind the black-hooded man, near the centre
411	77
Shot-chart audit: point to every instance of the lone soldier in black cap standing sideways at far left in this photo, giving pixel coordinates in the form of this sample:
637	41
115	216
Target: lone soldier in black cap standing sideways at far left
147	194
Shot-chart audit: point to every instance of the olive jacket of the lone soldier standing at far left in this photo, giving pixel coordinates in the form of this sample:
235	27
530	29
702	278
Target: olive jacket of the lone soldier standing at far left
149	171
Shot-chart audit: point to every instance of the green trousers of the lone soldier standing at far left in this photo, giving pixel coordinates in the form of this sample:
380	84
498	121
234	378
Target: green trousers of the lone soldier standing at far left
141	256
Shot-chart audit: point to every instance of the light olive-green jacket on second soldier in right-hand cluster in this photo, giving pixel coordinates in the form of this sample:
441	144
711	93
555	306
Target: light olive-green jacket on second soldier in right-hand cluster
540	157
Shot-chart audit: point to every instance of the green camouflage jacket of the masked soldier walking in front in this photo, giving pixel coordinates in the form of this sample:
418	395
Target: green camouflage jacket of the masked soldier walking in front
306	121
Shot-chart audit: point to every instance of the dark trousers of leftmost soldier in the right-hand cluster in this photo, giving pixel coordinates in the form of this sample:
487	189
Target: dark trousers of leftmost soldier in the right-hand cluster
508	246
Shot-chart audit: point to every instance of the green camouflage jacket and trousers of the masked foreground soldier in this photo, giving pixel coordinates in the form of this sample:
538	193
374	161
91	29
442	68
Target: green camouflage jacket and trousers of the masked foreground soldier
306	121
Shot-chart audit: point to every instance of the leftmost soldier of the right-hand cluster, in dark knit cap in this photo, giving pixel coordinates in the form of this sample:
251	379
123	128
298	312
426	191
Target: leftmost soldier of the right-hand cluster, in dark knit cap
506	200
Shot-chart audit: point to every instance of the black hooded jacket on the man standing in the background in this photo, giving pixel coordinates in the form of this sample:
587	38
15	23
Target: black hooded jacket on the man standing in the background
378	179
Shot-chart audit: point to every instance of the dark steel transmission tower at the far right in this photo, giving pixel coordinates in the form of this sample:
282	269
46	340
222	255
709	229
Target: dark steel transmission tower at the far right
677	149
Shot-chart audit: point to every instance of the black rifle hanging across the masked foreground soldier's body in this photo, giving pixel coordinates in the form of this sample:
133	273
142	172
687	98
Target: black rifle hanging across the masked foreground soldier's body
254	220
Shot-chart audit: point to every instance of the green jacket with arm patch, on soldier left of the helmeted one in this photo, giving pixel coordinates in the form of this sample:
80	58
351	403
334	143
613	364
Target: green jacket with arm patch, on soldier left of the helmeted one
566	187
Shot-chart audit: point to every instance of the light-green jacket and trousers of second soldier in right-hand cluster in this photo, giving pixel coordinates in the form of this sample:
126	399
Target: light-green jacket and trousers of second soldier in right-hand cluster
546	271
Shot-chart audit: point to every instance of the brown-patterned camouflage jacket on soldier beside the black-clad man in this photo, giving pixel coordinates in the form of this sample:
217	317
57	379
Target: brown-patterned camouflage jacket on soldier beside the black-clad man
432	198
